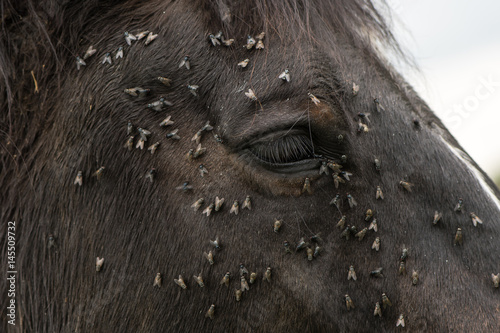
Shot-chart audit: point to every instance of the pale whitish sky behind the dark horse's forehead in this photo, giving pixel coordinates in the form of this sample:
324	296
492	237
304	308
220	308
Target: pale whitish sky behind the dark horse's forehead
456	44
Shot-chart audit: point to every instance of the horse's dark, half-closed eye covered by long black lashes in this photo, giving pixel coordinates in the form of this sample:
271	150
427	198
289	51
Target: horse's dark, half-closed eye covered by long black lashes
288	149
